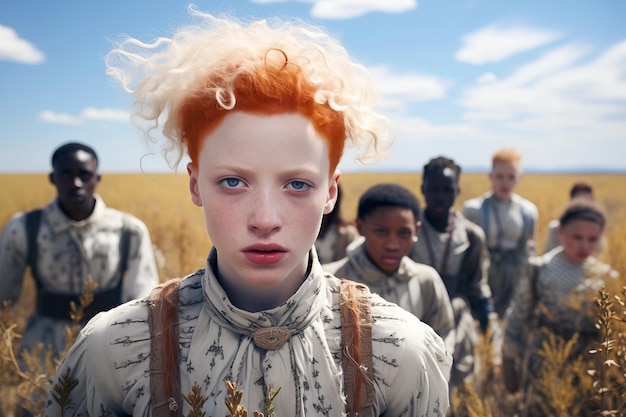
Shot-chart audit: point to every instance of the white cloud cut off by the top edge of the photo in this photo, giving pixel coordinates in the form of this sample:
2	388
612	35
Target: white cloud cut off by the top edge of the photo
347	9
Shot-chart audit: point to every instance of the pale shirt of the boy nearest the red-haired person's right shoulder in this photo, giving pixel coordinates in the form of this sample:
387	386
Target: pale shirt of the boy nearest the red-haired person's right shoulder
417	288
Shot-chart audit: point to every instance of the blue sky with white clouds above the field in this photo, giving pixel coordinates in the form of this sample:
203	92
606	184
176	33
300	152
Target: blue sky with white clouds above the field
458	78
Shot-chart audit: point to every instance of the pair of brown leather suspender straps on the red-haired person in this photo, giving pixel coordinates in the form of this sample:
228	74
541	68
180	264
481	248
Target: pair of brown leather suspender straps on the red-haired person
356	334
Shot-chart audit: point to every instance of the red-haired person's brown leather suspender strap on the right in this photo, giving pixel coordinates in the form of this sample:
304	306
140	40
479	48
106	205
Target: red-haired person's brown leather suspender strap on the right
356	344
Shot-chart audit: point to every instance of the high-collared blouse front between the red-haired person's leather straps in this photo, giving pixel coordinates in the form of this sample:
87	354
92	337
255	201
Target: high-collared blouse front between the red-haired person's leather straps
310	380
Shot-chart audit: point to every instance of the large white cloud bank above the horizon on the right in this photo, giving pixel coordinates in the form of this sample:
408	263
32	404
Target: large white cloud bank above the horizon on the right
561	110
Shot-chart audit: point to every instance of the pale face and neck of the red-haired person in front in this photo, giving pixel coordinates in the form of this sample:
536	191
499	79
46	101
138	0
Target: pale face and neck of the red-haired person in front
263	182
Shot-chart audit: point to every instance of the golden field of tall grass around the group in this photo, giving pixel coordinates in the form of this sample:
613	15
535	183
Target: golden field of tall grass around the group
177	229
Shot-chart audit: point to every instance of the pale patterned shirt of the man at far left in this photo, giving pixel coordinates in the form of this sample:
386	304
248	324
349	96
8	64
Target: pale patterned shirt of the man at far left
69	251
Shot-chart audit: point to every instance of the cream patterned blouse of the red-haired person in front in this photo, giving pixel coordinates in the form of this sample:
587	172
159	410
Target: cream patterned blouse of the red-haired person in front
110	360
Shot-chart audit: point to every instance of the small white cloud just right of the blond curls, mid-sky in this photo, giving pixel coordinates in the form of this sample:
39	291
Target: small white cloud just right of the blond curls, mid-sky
398	90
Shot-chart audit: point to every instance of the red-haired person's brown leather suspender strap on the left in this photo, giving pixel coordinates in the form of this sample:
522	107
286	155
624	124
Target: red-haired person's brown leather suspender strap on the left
165	391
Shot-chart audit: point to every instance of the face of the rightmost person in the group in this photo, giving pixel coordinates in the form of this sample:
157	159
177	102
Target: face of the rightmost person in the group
579	239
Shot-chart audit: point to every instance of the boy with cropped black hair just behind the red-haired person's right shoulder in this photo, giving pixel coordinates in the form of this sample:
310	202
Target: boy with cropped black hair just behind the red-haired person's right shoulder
388	219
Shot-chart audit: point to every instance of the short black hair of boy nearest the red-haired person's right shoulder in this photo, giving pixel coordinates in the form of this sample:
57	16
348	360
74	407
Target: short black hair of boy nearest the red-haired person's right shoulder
388	195
